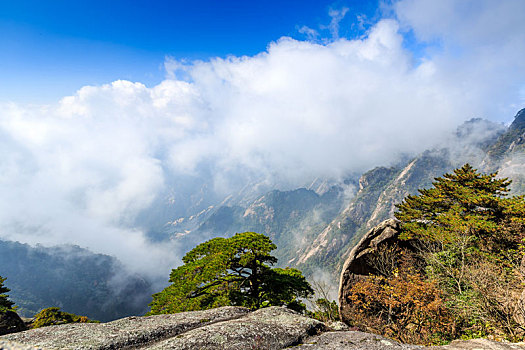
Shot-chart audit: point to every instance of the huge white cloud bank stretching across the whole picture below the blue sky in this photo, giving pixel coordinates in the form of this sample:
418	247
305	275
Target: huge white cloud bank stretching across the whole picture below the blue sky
81	170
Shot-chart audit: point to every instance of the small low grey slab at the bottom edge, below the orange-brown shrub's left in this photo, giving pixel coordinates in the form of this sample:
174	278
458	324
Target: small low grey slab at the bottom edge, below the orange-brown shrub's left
353	340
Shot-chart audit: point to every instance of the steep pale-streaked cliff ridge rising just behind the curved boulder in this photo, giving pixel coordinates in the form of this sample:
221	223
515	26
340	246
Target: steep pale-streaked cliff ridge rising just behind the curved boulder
379	190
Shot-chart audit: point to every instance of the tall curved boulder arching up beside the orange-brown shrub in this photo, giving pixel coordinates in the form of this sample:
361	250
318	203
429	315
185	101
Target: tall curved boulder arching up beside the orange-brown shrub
357	266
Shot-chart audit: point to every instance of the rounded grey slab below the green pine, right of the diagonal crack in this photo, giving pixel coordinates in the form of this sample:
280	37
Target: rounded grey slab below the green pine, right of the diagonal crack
268	328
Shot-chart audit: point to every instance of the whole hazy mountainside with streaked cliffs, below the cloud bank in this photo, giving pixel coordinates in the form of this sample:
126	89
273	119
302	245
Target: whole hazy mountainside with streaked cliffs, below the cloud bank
316	227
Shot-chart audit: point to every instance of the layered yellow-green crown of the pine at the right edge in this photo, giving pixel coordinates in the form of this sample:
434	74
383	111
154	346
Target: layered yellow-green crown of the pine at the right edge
461	205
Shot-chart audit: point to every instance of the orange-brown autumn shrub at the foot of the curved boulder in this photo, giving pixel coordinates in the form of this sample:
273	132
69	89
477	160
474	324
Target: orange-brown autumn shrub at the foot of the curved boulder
405	306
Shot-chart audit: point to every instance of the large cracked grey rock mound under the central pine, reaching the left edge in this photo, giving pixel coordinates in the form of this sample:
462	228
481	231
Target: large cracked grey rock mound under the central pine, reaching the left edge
222	328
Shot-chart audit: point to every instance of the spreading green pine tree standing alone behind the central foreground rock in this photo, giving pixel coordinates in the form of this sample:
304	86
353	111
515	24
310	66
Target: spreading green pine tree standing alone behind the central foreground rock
231	271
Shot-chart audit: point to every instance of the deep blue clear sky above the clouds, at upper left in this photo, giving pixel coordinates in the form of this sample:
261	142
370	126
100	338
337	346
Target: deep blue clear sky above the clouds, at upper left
52	48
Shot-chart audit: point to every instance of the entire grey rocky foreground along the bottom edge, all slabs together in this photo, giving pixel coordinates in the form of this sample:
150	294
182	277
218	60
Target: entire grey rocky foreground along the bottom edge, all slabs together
223	328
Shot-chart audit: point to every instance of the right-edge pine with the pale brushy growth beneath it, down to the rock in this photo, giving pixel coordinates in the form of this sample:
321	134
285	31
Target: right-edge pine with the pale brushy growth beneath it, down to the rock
470	235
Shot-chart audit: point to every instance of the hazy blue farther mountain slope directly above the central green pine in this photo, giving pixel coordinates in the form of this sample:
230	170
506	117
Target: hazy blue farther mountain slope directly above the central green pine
291	219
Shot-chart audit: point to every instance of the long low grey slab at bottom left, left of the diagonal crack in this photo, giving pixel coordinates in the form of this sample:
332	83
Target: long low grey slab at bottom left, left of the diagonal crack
124	333
